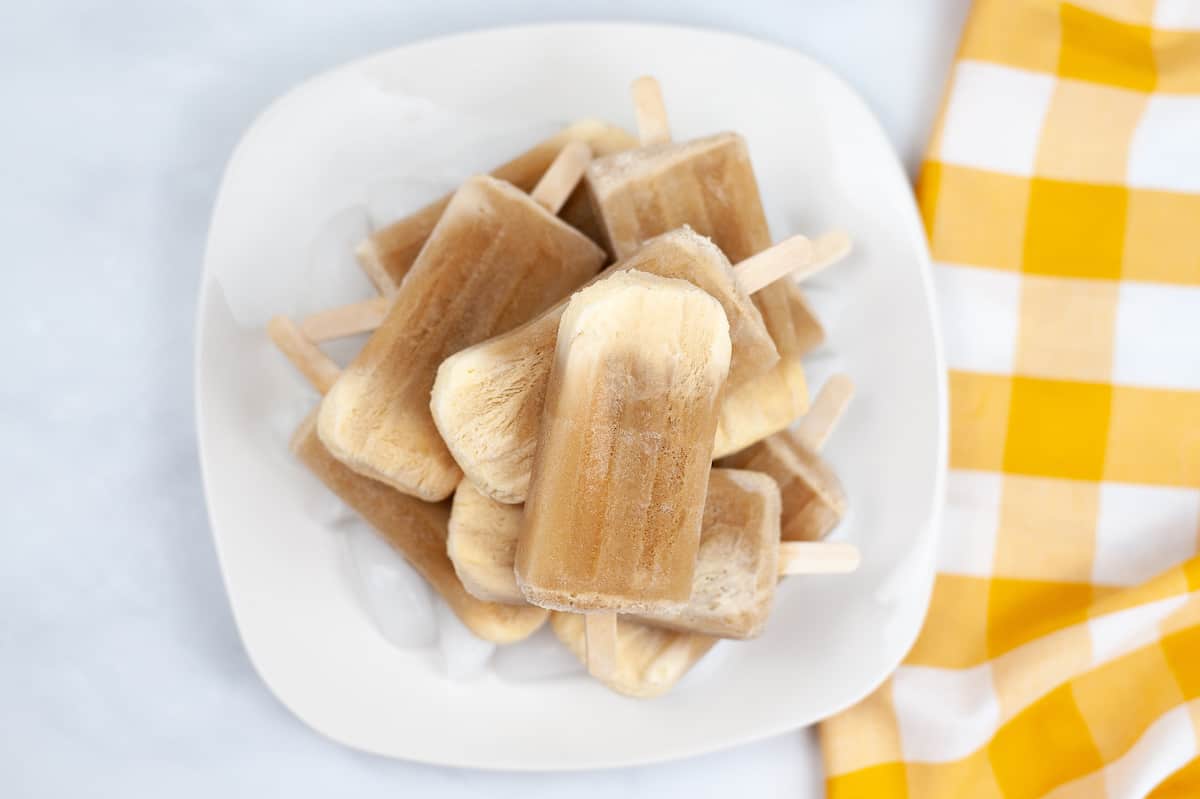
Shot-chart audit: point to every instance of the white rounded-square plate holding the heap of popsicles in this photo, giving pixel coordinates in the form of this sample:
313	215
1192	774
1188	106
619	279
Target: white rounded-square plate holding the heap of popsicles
823	163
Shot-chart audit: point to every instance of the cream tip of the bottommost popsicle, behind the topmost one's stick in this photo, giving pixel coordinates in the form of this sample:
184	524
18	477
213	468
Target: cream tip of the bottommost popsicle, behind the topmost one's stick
649	662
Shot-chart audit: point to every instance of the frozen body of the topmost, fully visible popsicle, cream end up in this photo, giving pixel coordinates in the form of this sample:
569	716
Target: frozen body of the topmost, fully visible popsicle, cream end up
621	473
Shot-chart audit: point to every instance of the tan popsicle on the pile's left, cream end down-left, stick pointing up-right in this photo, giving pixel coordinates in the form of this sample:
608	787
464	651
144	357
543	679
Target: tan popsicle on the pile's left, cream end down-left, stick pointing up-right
496	259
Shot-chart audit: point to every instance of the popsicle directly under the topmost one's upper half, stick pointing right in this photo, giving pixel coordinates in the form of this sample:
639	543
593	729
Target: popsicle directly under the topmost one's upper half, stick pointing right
488	400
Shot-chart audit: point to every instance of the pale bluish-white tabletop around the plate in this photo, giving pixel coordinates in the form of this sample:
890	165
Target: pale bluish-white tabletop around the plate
121	671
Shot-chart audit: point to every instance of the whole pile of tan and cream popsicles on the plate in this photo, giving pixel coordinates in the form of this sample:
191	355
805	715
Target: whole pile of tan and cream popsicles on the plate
536	431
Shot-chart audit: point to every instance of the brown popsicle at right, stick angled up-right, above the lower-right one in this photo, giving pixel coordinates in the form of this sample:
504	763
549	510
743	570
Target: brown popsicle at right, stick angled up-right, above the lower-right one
813	496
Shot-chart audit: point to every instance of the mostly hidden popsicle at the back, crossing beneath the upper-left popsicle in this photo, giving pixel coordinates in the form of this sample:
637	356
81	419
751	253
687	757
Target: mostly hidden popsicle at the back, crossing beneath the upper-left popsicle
388	254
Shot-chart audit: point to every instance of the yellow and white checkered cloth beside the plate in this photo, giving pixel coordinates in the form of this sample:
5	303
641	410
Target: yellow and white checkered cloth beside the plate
1061	656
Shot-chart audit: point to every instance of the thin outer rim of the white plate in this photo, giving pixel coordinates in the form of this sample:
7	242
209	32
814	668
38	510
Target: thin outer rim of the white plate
931	536
